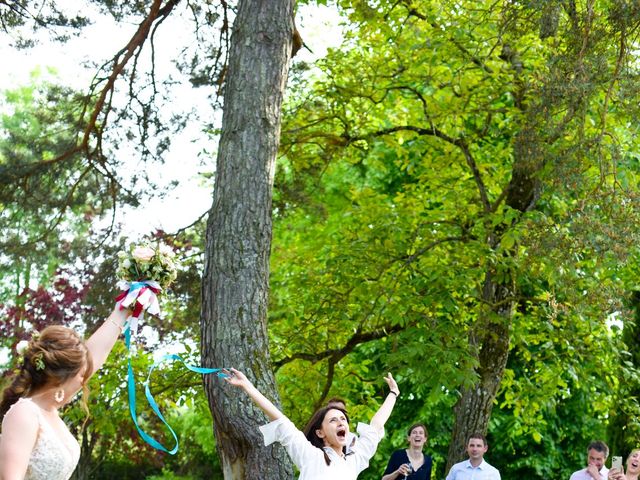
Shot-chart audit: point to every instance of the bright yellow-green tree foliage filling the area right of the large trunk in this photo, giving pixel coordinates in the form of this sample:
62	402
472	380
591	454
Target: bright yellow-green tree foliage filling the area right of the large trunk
394	204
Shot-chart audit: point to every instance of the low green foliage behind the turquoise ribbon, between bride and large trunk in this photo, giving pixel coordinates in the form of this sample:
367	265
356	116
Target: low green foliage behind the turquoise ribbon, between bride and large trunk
109	436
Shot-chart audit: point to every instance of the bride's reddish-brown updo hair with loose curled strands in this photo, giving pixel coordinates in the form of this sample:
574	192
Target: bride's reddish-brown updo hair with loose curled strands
51	358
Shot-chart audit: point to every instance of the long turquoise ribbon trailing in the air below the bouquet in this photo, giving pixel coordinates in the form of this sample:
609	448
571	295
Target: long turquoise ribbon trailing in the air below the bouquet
131	384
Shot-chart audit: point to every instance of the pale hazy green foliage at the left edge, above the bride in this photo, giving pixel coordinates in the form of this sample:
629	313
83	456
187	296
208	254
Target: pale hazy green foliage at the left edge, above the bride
39	195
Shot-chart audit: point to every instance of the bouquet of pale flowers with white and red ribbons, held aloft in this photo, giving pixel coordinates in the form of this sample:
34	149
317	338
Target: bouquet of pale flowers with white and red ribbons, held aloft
144	271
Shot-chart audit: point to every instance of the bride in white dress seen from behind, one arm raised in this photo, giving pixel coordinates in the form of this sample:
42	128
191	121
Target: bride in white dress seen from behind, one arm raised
35	443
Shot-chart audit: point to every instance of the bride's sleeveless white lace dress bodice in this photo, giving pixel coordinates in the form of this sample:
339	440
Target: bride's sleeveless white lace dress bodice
52	458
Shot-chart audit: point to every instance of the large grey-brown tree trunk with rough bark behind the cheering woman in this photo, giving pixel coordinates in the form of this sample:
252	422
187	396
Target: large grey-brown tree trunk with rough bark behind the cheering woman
236	274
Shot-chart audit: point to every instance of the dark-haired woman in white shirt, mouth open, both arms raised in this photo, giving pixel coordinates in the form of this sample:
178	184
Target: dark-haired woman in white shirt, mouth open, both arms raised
320	452
